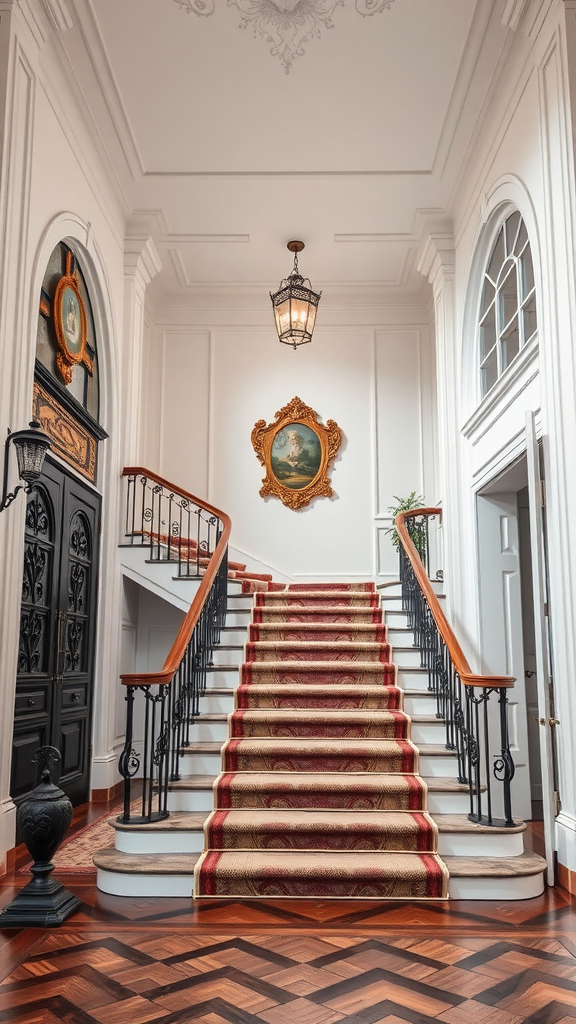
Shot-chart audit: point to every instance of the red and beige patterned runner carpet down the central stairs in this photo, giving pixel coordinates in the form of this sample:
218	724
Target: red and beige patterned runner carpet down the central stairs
320	795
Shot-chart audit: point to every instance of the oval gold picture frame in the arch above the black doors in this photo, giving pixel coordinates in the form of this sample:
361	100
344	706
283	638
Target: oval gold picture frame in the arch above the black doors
70	324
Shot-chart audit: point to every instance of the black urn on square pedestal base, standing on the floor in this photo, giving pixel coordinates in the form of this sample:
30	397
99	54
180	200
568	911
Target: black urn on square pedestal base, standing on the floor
44	820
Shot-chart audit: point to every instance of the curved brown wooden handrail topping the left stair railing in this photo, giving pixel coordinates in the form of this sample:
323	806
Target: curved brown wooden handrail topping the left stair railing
180	646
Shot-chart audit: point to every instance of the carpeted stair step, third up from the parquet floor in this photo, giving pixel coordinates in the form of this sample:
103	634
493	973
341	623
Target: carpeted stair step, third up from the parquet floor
336	791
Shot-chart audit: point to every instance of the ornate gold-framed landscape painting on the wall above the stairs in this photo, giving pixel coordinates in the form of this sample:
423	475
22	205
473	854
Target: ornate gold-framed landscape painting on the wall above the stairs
297	452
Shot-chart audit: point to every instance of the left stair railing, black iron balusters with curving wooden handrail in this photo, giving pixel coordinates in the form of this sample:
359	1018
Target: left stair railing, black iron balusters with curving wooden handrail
175	527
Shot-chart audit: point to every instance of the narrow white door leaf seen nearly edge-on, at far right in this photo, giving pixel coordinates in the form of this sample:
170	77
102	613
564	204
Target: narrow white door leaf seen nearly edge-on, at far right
546	704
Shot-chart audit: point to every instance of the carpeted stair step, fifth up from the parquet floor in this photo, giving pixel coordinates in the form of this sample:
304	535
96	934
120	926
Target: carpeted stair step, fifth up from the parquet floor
308	724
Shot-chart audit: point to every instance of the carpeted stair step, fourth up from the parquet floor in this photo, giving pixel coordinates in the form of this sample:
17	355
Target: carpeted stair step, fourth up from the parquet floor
320	755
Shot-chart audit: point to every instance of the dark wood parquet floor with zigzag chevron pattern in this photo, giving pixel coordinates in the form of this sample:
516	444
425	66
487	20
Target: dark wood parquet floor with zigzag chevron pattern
125	961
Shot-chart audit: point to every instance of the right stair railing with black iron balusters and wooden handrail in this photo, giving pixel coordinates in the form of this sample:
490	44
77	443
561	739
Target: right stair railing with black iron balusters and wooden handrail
464	699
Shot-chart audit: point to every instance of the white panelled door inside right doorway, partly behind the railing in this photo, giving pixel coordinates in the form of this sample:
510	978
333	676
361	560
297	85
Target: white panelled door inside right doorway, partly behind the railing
503	649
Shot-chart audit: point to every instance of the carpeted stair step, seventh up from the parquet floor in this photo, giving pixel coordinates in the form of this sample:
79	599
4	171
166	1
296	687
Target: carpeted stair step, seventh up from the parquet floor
318	673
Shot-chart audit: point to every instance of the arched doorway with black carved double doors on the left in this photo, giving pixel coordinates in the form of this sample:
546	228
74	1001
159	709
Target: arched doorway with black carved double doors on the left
55	685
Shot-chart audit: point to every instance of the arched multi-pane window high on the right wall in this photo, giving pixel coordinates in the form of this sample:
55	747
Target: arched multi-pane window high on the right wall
508	310
